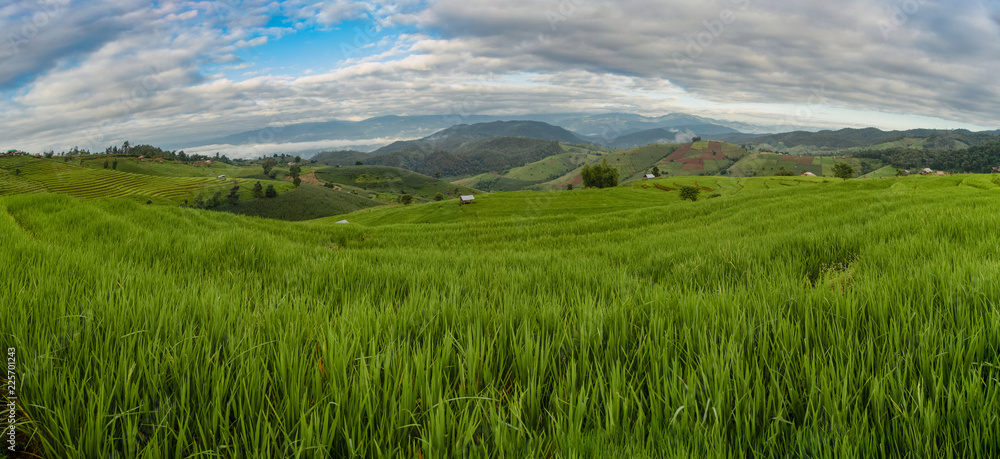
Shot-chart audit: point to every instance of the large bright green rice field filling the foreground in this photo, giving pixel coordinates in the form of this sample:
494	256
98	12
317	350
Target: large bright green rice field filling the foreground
788	318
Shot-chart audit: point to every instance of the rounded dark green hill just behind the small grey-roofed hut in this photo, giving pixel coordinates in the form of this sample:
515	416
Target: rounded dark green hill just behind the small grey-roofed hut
391	180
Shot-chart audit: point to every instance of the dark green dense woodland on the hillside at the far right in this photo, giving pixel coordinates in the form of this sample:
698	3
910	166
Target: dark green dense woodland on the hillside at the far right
977	159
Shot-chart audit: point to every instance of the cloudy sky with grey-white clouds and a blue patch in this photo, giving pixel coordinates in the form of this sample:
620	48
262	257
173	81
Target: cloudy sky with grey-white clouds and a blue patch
96	72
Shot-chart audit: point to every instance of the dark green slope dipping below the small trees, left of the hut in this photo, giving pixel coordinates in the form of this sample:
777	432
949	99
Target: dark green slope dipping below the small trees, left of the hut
306	202
